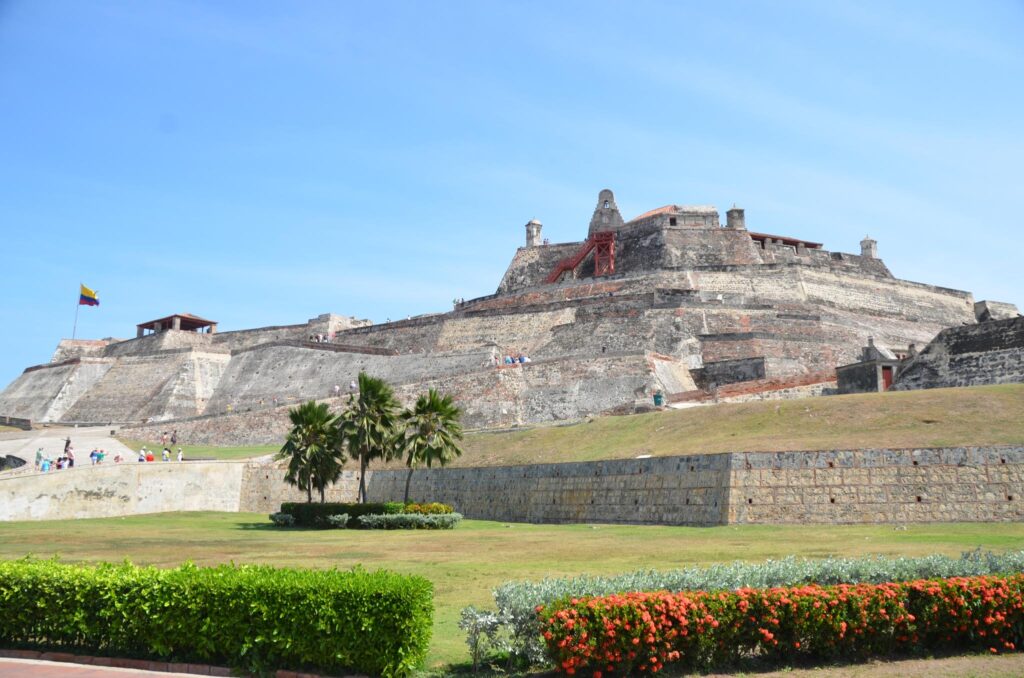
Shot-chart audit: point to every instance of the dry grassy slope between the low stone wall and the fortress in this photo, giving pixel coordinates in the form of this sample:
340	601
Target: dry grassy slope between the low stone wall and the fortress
983	415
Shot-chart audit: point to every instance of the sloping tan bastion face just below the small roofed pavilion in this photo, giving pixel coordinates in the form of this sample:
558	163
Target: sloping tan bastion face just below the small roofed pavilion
129	389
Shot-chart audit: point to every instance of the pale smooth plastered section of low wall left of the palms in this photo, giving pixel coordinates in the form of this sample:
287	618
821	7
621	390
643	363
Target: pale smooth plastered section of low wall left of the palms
129	489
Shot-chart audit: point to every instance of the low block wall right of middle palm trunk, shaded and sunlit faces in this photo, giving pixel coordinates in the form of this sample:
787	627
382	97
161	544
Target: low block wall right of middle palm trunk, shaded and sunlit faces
869	488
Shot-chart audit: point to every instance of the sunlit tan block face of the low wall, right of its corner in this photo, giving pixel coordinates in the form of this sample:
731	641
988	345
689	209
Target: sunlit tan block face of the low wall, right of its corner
878	487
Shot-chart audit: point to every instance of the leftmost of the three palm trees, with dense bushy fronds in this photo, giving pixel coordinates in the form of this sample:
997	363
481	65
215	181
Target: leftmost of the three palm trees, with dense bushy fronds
314	449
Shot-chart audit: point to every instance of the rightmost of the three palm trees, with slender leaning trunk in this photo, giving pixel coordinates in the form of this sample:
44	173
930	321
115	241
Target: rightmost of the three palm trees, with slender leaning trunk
433	433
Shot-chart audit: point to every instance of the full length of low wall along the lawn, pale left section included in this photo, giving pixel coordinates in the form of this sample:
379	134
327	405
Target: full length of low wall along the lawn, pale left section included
871	487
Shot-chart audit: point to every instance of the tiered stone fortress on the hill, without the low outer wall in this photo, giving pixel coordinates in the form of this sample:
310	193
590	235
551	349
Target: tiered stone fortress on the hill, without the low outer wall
672	304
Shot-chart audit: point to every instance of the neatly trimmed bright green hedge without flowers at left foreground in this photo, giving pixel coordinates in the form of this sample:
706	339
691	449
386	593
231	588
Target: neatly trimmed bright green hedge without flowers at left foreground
251	618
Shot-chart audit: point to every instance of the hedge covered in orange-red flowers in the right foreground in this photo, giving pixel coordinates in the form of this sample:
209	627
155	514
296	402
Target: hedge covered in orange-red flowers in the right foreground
643	632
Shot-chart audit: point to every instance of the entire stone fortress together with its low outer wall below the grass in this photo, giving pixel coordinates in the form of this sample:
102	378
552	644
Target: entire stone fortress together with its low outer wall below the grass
671	305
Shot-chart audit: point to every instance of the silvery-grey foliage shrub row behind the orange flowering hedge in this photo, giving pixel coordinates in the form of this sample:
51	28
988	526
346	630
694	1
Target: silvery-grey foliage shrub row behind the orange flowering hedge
518	602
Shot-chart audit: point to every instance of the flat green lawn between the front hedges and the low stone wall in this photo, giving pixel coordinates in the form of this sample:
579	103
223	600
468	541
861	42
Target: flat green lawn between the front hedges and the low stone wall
466	564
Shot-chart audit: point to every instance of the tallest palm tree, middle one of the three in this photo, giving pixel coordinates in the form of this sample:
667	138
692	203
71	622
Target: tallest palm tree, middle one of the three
369	426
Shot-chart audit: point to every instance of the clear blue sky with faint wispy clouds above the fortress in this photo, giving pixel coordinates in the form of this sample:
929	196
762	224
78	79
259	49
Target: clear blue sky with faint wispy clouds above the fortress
261	163
